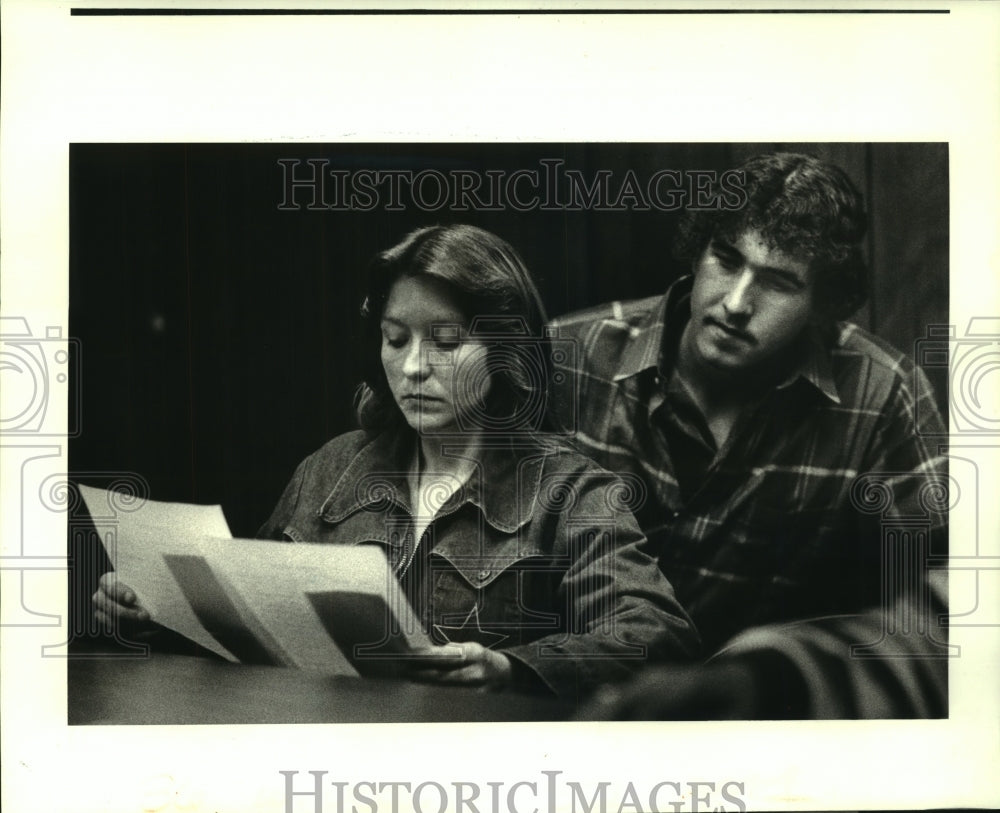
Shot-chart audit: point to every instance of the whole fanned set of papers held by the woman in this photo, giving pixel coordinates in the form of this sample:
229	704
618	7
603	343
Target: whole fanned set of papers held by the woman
255	601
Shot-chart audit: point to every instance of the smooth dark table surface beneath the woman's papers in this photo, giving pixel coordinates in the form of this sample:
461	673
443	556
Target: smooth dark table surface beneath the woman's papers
167	689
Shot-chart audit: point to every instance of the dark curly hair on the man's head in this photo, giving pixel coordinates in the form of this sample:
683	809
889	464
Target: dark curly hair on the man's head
803	207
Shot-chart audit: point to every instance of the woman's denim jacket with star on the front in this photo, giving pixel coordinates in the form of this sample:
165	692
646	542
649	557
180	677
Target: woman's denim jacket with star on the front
537	554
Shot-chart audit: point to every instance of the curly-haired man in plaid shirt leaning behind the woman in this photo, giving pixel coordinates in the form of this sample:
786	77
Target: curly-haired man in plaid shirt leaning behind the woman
764	431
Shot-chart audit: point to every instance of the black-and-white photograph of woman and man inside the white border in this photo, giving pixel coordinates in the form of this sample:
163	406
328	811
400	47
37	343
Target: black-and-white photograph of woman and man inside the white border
632	481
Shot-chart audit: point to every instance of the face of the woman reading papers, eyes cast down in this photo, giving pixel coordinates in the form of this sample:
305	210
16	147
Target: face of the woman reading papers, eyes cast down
436	374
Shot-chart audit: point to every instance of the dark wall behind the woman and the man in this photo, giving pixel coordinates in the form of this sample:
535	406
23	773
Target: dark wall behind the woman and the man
217	331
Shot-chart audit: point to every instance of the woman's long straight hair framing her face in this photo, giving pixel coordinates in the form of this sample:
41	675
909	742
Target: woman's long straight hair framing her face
495	291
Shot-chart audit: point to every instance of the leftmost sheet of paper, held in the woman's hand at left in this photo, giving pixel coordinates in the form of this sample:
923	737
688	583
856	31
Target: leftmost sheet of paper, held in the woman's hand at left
135	543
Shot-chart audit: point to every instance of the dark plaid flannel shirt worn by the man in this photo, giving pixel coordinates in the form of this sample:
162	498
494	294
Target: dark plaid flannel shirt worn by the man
786	520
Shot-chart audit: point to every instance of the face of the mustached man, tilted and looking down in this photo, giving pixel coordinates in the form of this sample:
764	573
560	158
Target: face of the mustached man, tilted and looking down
750	303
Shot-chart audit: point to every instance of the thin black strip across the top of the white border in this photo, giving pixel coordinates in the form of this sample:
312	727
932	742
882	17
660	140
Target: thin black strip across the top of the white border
410	12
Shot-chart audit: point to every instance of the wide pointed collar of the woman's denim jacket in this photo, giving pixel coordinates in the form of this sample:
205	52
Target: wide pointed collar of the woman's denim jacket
503	485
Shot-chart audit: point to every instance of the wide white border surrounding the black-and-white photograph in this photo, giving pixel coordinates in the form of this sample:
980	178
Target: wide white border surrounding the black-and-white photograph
475	77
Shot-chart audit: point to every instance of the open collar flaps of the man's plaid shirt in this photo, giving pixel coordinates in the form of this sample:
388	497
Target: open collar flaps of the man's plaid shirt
652	344
